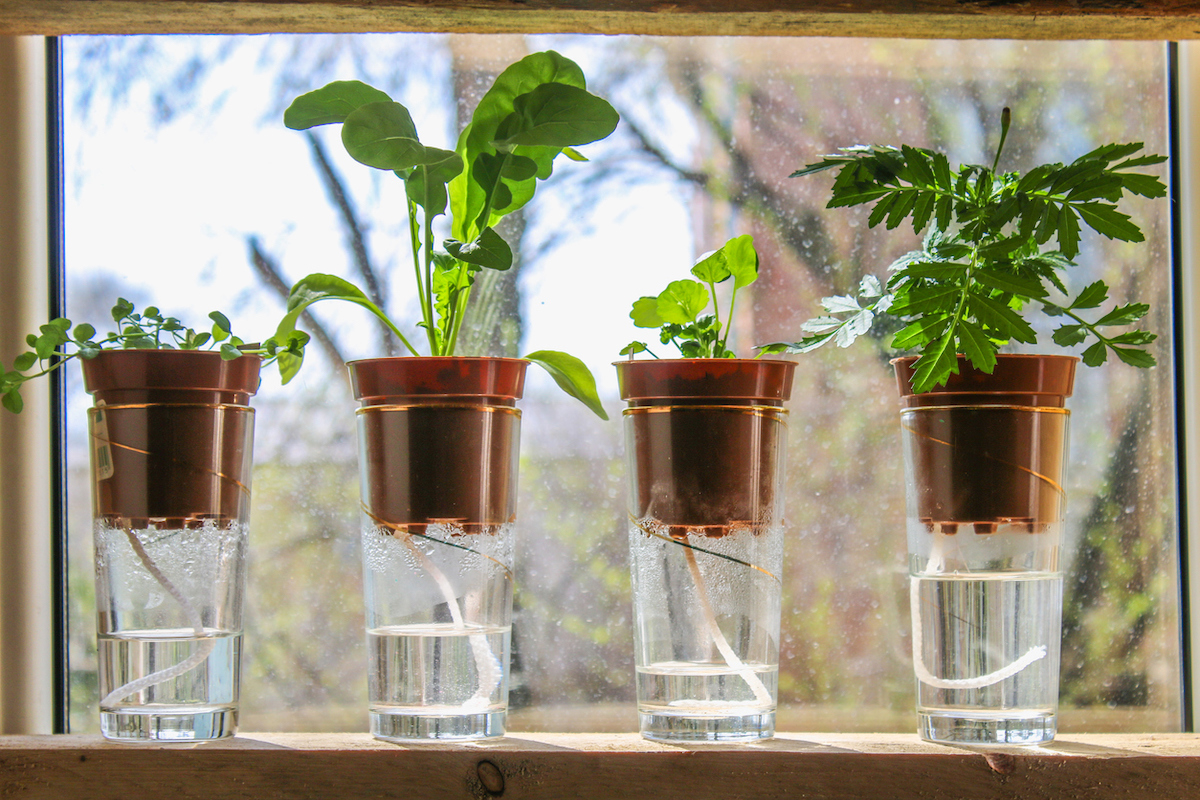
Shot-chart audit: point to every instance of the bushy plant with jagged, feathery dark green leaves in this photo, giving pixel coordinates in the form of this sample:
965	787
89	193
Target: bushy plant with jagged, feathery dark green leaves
988	254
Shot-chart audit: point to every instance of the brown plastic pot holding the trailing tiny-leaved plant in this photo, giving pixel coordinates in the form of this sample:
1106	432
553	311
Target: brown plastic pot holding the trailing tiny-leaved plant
172	435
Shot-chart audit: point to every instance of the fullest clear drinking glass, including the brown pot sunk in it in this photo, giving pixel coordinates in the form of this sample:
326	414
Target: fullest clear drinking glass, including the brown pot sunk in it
986	522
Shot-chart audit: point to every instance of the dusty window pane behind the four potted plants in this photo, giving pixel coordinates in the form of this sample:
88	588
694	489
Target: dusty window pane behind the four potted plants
185	191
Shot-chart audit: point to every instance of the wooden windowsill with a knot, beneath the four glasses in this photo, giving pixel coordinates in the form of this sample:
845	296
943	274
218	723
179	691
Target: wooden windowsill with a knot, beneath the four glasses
556	767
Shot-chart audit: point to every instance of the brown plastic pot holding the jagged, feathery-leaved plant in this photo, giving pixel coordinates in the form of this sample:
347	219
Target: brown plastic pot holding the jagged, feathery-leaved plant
988	450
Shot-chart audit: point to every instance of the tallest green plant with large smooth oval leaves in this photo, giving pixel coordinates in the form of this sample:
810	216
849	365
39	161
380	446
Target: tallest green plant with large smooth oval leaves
537	110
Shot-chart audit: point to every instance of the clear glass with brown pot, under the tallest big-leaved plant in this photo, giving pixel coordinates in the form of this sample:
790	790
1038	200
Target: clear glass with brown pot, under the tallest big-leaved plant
439	448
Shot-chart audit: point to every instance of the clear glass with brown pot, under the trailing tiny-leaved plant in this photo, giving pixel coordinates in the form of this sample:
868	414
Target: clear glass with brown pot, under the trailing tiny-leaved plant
171	495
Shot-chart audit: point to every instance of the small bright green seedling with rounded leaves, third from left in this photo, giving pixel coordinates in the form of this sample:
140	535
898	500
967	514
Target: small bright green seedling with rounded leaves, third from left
677	310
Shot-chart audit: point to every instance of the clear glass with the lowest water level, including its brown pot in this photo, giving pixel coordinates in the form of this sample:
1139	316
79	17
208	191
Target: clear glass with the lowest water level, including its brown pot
706	444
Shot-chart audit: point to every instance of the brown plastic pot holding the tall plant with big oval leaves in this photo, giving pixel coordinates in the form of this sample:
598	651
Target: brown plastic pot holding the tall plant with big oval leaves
439	441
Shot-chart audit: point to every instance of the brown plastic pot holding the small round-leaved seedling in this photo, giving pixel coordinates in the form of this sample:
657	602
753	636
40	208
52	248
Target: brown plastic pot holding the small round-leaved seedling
705	441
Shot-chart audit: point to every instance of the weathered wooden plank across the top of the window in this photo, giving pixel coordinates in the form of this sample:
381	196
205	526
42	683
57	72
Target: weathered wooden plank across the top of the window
1154	20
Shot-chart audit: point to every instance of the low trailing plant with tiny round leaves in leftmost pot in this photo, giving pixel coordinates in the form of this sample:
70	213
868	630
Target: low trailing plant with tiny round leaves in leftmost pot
147	330
